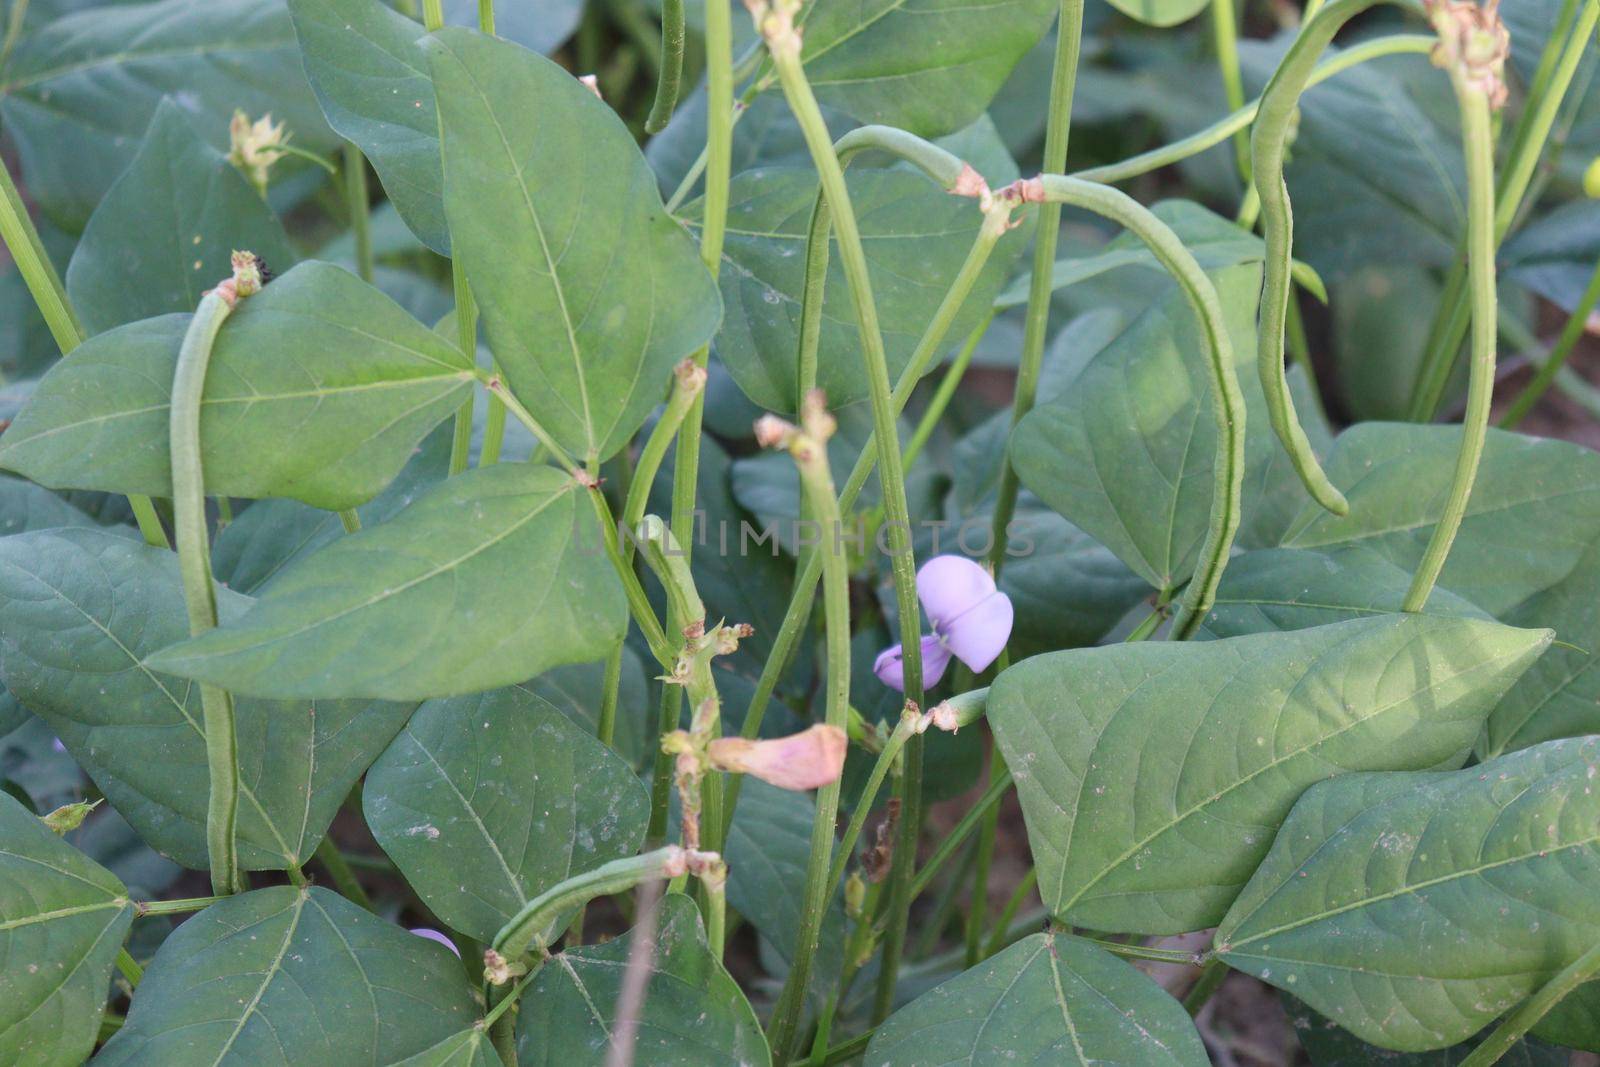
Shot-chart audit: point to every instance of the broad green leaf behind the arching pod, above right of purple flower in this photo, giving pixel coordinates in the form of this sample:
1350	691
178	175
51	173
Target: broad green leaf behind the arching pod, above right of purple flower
1129	452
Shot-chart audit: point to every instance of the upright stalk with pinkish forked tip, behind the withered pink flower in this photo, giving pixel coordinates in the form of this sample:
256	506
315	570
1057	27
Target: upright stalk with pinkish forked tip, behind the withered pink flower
810	454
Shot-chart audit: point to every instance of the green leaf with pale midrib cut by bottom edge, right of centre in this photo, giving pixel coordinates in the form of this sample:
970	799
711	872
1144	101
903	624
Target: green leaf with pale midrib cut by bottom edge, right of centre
1050	999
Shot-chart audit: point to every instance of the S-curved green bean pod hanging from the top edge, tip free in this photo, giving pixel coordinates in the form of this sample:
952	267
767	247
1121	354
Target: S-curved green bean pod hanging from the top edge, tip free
1268	143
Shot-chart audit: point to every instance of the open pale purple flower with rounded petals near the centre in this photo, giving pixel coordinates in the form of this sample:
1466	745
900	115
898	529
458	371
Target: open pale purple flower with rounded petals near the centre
972	621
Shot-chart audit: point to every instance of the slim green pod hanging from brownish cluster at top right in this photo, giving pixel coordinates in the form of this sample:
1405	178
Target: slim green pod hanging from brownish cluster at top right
1479	146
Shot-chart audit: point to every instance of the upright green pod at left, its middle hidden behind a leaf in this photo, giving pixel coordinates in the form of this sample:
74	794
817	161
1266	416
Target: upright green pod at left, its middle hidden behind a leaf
194	564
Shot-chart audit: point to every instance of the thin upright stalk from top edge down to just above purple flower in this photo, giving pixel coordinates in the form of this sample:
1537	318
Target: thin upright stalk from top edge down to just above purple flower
1036	326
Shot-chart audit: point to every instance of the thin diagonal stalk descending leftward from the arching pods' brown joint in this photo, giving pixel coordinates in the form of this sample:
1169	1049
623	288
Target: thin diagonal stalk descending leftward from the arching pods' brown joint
801	601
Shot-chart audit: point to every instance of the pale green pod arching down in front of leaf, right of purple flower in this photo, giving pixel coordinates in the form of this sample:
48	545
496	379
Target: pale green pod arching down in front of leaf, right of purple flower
1228	404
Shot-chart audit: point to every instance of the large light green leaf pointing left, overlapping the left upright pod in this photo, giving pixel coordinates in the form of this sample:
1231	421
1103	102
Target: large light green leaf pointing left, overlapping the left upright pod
486	581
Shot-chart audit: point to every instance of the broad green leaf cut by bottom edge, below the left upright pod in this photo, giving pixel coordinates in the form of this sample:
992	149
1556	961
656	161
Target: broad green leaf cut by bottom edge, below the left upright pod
292	977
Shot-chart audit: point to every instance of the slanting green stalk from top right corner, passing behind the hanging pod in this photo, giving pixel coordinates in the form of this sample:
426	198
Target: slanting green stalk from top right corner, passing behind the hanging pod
1454	319
